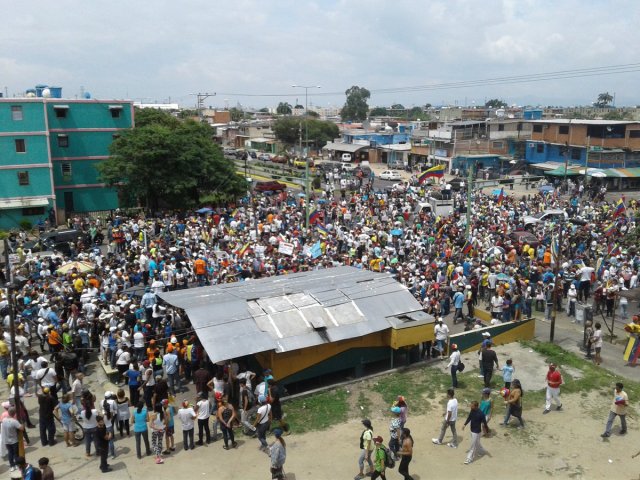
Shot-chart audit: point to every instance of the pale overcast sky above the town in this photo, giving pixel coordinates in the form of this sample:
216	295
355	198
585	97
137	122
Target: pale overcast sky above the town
161	50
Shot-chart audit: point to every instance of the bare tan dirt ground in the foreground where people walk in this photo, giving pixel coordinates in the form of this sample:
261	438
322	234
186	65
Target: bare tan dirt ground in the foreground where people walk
562	444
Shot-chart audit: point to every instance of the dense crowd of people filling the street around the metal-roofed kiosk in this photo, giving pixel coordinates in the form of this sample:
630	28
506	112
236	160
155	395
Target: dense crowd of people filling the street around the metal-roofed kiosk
109	304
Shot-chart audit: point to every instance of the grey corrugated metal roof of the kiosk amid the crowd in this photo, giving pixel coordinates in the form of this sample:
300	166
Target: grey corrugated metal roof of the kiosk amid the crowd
296	311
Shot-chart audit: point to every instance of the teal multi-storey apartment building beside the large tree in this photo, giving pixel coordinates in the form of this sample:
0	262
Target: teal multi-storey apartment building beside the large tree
49	149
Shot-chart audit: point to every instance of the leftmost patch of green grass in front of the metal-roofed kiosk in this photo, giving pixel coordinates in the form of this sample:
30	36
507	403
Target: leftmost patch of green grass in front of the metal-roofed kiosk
319	411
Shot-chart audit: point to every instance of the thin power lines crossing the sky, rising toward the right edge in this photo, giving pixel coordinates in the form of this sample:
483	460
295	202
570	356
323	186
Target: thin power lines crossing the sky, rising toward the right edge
515	79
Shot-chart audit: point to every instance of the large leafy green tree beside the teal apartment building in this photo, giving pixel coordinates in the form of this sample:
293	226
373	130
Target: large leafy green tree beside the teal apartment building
165	162
